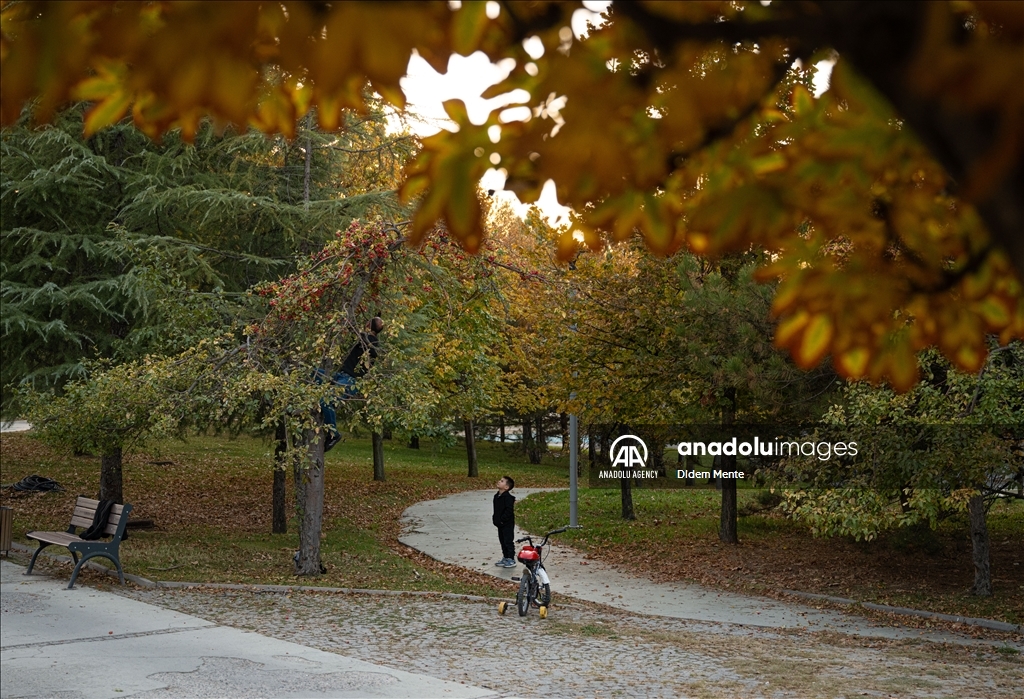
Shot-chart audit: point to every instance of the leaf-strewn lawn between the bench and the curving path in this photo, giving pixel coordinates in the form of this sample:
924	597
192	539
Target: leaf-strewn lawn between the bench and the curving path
210	500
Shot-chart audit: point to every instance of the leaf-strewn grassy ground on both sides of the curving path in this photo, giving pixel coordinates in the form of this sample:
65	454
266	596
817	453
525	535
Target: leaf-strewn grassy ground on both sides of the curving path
210	502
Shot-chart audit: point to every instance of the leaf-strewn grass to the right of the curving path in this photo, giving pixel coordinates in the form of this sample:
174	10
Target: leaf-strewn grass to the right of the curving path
675	538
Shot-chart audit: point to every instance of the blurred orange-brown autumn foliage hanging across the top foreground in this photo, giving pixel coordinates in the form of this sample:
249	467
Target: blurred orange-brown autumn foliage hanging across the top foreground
890	205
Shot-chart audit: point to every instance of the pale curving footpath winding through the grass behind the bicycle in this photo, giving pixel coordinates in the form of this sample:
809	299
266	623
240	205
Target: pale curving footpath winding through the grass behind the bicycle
457	530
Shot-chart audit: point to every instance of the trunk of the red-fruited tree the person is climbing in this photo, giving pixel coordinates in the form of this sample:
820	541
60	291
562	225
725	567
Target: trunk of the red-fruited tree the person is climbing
310	503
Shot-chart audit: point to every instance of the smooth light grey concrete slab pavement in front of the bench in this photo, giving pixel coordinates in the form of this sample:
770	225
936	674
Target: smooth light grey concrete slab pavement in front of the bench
92	644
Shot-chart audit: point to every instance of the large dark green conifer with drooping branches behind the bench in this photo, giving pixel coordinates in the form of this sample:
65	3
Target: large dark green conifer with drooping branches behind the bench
117	246
